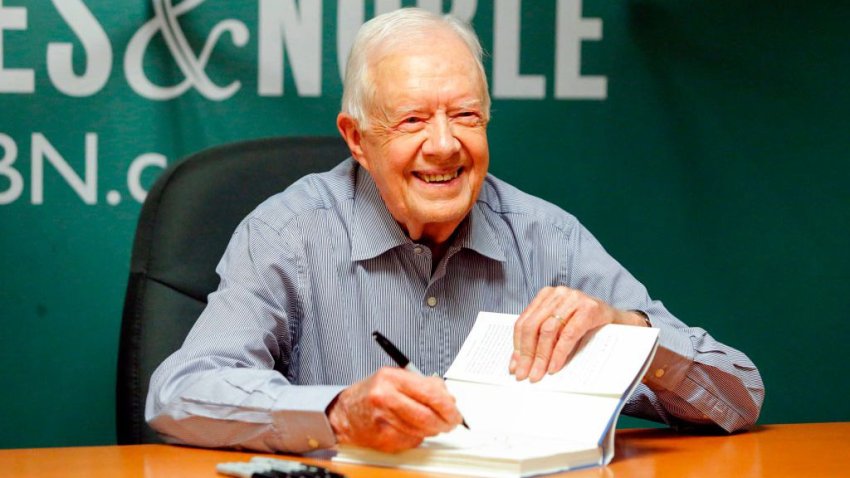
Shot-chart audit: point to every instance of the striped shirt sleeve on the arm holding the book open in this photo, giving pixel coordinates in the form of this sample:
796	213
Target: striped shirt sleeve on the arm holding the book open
694	380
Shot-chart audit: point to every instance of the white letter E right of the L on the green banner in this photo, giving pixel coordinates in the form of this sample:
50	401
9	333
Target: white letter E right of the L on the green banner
572	28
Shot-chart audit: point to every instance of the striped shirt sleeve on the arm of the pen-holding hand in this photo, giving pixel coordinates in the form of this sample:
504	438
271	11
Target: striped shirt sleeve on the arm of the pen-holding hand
221	389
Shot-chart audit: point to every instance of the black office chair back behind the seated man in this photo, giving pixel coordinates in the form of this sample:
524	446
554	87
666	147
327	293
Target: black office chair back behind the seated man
184	227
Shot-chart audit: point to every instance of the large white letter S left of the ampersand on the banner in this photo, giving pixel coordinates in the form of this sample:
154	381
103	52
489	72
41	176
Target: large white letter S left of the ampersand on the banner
96	44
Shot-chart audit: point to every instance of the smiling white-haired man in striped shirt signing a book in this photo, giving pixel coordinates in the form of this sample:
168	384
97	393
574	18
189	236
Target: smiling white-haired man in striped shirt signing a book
412	237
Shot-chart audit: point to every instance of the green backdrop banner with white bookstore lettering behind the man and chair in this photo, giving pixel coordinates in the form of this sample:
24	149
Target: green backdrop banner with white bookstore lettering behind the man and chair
705	143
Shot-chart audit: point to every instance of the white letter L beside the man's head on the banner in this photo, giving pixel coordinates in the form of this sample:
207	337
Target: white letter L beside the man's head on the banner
507	82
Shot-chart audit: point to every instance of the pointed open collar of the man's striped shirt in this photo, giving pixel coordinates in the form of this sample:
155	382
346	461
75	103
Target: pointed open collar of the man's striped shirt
374	230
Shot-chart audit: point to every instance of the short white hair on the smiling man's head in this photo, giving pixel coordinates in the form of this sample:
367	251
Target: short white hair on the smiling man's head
391	30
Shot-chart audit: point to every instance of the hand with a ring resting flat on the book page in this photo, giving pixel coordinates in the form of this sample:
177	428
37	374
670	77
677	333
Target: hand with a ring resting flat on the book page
550	328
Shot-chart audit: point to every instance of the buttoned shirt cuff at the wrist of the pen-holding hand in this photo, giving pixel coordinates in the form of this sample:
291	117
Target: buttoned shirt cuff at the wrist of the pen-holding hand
300	418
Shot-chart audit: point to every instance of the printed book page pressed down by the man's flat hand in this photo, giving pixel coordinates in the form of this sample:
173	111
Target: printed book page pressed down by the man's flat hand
605	362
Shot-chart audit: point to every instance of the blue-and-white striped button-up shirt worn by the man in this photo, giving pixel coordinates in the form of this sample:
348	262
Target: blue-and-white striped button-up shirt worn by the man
315	269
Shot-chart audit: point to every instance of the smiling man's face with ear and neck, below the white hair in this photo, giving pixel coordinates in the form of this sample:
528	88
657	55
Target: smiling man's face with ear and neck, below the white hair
425	141
